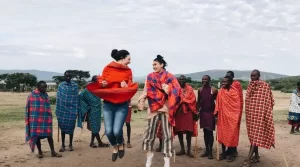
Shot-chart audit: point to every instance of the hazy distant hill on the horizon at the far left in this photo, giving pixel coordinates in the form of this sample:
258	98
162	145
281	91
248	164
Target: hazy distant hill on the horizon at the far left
41	75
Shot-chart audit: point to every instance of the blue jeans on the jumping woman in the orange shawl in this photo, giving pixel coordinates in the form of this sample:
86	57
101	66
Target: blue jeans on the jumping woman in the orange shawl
114	118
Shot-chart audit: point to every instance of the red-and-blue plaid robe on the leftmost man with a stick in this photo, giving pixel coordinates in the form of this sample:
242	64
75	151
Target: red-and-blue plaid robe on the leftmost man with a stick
38	118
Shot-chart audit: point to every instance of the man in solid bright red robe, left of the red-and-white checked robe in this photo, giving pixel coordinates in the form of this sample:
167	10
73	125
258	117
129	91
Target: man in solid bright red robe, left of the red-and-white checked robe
228	113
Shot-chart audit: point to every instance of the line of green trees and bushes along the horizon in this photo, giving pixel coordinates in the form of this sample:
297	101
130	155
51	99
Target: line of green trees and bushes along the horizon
21	81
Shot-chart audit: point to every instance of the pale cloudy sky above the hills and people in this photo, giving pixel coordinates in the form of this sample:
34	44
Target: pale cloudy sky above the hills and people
192	35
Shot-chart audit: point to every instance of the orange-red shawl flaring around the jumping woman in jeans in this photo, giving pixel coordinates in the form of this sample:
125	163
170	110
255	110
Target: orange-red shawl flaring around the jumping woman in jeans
114	73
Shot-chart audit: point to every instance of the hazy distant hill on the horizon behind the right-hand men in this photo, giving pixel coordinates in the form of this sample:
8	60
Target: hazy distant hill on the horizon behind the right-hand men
243	75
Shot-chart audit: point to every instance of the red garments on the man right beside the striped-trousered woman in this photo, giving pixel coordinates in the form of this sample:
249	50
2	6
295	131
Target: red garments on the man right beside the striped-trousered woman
188	104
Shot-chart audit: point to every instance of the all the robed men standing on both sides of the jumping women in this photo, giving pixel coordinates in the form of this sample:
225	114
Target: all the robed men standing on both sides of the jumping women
222	108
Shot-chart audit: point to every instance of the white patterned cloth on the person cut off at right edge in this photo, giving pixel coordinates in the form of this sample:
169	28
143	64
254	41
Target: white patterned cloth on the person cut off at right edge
294	108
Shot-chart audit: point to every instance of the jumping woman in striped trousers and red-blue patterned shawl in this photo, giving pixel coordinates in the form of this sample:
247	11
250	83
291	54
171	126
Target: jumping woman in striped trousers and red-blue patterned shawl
164	96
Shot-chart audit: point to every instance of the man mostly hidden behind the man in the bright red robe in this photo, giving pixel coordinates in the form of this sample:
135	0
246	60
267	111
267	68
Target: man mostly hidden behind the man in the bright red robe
236	84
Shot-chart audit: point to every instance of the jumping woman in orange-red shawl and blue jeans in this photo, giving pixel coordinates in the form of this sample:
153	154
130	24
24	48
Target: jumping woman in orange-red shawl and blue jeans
116	89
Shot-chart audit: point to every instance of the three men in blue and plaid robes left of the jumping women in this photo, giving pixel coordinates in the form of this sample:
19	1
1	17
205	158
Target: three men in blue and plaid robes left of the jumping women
70	106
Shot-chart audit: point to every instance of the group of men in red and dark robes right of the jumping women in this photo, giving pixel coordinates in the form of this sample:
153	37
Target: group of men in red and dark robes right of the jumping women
224	108
